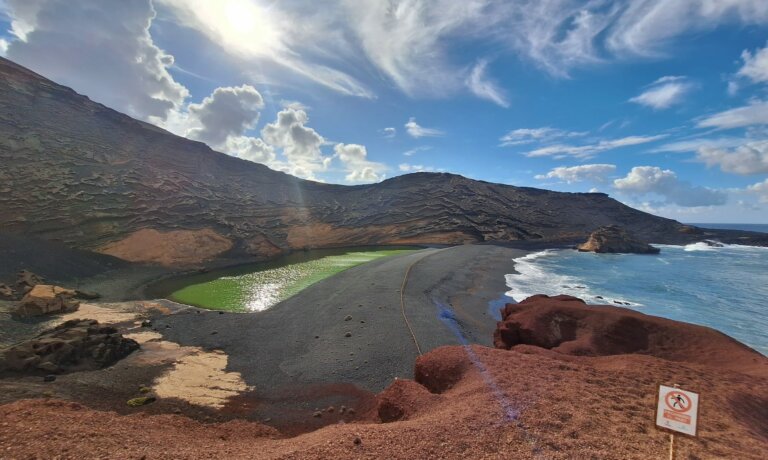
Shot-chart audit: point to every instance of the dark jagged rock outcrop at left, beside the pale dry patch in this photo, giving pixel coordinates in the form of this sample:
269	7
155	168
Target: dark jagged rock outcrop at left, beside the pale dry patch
75	345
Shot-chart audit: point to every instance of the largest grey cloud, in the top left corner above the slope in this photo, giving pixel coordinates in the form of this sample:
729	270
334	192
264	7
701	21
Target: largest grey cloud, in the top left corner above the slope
102	49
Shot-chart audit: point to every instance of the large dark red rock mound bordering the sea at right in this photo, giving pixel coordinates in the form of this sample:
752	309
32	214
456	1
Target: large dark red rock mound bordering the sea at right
567	325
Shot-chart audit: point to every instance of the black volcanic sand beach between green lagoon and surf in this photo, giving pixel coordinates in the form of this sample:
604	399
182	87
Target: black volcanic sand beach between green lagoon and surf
297	355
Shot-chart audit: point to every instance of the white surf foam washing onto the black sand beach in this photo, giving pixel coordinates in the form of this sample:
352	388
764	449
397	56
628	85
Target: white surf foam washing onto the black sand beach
532	278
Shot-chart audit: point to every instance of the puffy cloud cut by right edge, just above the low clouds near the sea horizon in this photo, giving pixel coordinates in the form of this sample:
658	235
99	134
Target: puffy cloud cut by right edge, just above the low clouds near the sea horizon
748	158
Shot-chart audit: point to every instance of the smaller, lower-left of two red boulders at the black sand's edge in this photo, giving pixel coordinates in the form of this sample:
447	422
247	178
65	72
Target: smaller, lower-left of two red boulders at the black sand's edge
403	399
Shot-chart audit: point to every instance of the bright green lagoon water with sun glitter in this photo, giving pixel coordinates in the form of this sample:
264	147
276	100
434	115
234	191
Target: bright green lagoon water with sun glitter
260	286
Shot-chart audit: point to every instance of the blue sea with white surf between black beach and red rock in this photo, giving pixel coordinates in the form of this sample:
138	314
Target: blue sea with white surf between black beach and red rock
723	288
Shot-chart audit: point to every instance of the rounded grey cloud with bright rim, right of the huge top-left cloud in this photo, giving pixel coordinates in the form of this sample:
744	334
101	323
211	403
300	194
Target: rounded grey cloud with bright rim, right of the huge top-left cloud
228	111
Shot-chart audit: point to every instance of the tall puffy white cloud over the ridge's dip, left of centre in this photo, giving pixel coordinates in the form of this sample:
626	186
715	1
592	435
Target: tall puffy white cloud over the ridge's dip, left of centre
300	144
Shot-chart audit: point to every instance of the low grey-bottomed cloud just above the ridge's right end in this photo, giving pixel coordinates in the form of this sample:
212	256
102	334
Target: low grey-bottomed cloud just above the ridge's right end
644	180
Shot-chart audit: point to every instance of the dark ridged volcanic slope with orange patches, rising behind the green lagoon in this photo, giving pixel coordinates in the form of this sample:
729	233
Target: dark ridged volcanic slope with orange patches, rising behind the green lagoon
75	171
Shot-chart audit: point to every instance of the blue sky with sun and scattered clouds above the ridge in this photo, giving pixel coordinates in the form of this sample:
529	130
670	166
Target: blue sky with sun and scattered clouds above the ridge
662	104
